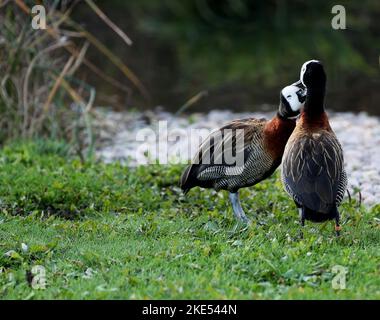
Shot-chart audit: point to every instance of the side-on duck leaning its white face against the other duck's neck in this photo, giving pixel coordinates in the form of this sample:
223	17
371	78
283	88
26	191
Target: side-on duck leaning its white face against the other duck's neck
262	150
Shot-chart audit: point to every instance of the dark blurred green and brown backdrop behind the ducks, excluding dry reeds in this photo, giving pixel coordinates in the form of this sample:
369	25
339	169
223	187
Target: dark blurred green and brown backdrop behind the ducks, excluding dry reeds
241	51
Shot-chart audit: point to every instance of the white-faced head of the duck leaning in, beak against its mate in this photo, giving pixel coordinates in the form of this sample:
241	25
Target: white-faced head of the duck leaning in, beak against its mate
292	99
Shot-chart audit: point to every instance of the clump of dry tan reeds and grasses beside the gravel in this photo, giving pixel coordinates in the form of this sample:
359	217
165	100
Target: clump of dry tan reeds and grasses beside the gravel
42	91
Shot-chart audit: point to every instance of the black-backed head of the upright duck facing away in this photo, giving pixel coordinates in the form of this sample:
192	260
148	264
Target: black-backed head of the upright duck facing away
313	75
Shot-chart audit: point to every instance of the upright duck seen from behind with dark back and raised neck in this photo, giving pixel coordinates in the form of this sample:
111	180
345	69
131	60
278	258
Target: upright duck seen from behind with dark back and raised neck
312	168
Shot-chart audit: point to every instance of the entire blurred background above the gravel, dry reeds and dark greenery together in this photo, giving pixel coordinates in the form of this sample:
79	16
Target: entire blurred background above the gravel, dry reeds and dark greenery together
137	55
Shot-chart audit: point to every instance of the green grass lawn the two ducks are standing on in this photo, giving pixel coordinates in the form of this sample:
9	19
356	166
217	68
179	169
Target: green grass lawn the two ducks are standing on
106	231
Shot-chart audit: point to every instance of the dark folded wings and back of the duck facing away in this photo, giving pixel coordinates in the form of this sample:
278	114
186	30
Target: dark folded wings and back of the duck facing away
313	172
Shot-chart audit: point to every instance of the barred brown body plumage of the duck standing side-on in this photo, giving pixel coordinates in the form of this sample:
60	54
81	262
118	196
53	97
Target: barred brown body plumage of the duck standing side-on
258	162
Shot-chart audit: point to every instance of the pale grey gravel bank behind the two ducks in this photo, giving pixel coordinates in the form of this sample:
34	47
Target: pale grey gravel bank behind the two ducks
359	135
